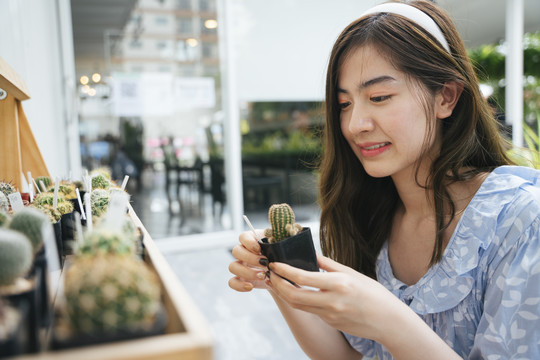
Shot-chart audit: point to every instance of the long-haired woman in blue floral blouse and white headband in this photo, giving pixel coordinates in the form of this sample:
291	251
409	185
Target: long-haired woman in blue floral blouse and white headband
431	240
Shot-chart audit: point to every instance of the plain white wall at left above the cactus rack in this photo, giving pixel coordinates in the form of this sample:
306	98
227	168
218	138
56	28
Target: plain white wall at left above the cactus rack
34	46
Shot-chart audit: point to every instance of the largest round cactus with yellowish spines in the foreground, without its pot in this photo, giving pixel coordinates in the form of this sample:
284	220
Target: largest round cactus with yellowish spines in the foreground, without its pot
110	293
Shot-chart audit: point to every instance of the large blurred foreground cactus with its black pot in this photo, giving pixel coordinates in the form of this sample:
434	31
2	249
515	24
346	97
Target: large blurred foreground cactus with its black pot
108	298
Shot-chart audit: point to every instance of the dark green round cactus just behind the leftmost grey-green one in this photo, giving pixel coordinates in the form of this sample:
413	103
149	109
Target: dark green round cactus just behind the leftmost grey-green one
31	222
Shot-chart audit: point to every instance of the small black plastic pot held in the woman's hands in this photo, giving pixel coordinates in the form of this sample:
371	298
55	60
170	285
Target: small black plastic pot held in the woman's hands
297	251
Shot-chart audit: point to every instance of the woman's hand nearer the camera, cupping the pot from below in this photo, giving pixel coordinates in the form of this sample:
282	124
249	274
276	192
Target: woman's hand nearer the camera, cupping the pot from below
344	298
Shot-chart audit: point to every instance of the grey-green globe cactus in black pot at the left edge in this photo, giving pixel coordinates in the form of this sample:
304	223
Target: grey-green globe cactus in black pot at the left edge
17	285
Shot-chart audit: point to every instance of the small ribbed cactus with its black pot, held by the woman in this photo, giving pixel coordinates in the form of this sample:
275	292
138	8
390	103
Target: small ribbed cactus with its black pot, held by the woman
287	241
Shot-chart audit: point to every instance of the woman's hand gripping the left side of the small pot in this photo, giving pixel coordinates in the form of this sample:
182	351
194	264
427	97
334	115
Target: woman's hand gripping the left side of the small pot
249	268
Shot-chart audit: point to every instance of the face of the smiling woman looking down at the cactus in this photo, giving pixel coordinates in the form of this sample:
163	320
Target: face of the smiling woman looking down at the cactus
381	117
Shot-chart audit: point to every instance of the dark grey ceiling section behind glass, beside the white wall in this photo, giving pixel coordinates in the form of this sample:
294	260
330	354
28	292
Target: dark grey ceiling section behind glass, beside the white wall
91	19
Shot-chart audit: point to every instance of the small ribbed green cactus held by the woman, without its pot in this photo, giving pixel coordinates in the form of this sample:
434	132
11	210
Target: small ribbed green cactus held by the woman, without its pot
282	222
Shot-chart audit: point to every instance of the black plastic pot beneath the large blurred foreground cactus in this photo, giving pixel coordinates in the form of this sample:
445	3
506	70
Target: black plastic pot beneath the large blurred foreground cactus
88	339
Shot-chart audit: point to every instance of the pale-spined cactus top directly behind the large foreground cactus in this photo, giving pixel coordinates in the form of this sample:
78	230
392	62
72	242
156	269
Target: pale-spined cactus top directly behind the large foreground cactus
103	241
